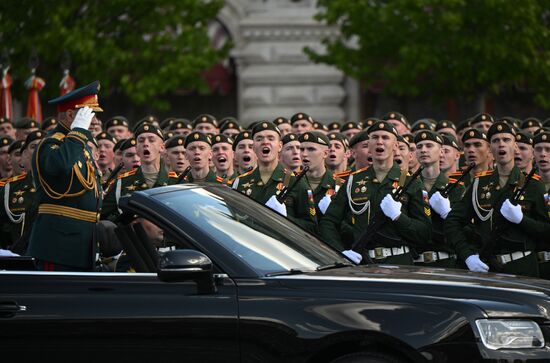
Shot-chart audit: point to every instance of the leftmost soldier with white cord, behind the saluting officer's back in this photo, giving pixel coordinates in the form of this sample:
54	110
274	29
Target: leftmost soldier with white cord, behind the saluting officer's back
18	210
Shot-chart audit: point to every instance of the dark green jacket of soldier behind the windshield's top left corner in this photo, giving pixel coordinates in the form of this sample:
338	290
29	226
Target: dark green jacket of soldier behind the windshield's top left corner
129	182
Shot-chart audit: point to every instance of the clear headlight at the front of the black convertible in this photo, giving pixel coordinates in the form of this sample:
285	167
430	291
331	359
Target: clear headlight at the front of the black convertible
510	334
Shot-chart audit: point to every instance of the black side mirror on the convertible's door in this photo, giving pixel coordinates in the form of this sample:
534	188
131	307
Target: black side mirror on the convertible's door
187	265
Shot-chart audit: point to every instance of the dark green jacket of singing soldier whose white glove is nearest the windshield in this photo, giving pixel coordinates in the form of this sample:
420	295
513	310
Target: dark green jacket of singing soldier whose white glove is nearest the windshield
300	205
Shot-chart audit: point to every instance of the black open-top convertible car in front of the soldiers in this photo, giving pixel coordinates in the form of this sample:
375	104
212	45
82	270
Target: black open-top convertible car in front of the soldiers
241	283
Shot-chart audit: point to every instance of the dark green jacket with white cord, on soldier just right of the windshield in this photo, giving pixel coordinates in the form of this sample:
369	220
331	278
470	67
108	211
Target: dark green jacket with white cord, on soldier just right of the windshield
411	228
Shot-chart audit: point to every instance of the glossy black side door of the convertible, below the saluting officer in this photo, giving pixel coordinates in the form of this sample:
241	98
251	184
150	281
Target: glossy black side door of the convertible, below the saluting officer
55	315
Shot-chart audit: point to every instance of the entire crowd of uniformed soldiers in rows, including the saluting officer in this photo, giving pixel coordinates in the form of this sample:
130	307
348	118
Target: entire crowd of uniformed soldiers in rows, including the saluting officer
470	198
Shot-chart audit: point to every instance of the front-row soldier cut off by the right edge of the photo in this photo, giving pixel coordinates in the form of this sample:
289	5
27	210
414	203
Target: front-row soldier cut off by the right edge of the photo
542	158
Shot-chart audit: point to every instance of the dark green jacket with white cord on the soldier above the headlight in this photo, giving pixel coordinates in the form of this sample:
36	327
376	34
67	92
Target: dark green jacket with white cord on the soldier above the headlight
489	195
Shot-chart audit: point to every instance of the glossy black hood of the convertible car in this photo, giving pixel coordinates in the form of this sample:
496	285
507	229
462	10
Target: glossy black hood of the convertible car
499	295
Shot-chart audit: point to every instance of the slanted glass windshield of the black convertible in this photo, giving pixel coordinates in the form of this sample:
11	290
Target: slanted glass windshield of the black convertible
266	241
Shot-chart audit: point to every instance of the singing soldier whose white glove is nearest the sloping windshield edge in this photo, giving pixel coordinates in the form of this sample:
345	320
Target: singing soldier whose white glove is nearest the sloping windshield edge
270	177
